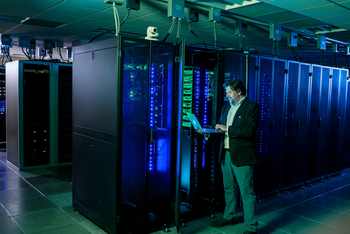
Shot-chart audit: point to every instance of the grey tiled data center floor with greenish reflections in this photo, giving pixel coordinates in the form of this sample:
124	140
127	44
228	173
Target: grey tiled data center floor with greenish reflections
40	201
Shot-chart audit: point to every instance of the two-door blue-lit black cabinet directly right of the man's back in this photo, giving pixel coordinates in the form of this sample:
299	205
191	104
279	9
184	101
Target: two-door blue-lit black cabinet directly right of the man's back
271	96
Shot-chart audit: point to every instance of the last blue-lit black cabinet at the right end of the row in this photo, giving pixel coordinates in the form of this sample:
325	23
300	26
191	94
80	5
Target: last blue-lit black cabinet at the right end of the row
336	120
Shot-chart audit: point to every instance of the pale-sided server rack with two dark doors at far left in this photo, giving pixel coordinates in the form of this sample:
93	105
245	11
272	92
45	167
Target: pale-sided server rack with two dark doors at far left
32	113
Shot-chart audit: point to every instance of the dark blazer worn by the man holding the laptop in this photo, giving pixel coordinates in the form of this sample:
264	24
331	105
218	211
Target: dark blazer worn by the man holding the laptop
241	133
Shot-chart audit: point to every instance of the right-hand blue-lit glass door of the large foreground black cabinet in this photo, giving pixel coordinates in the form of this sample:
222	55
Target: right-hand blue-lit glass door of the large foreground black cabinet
161	124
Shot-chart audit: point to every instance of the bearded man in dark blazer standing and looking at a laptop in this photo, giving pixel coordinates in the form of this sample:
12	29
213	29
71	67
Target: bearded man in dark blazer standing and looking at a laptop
239	120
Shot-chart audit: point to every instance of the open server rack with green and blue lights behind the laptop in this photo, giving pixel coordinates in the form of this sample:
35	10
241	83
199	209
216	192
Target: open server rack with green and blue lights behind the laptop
199	167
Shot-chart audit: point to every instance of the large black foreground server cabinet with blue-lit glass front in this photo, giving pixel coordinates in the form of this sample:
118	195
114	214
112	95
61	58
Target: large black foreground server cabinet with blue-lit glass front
123	137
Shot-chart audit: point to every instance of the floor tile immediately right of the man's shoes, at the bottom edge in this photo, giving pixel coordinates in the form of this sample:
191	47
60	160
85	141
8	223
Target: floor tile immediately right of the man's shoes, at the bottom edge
287	222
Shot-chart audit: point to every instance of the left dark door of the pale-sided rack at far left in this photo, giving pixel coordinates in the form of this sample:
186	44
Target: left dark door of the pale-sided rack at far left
36	112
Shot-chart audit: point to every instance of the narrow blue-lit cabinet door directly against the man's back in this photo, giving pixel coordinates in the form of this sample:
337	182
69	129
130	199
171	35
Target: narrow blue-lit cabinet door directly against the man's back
263	133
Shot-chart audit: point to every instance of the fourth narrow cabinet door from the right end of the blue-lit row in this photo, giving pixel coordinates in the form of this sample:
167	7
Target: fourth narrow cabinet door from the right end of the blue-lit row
315	164
